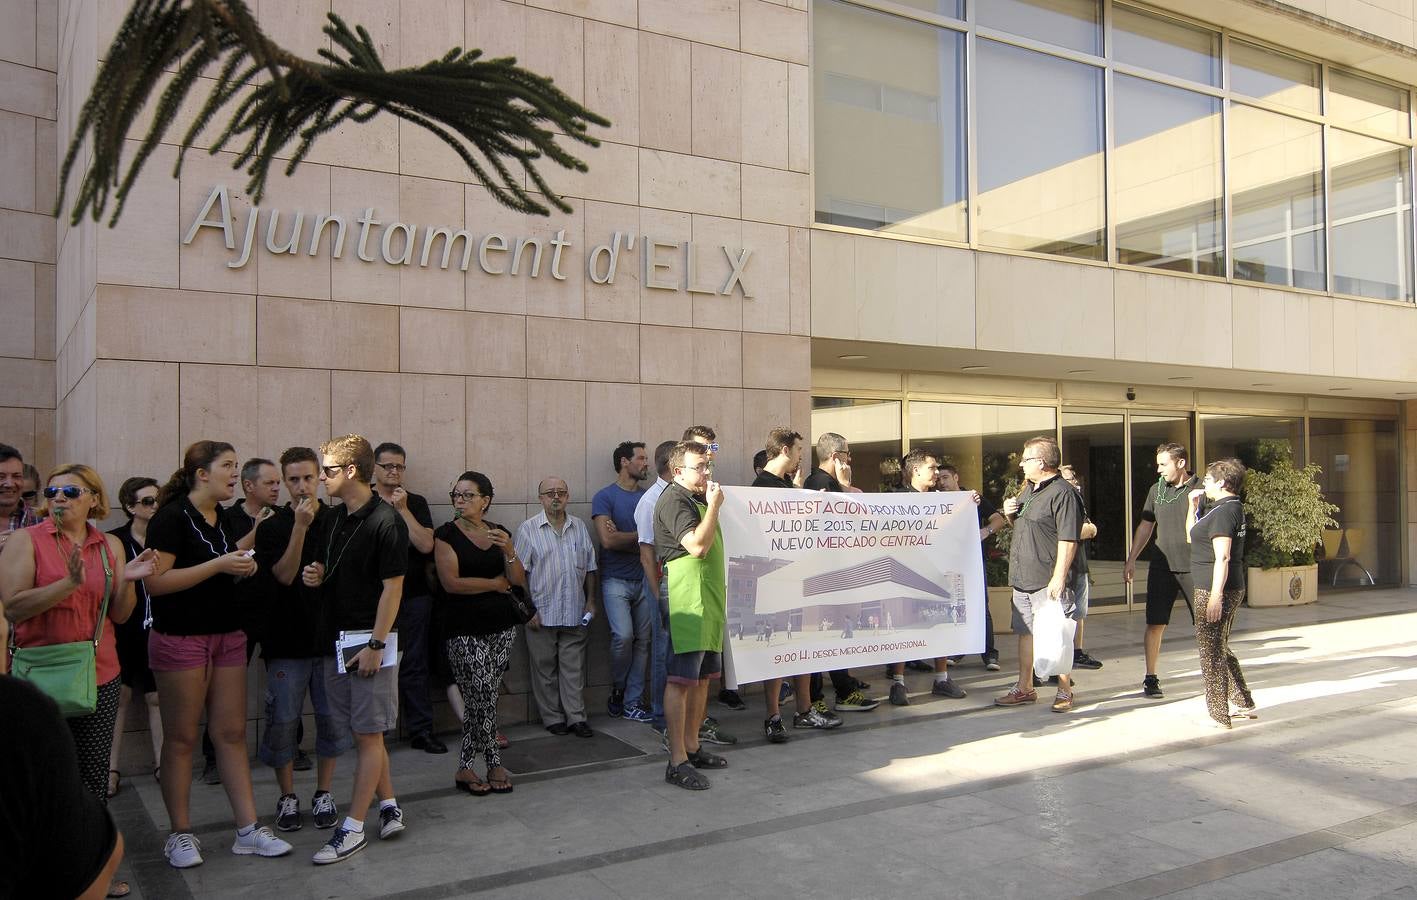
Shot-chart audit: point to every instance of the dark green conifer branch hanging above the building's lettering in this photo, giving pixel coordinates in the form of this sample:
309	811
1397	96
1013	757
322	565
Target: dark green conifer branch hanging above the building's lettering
494	114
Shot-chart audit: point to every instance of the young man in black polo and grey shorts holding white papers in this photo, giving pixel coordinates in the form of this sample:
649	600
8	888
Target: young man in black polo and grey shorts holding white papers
362	573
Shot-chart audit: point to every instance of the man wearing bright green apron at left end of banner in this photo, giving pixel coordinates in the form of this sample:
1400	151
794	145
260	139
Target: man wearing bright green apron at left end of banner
691	551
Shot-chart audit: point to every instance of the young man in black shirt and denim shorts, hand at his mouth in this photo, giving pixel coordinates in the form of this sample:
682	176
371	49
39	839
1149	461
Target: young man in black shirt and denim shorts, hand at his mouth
291	643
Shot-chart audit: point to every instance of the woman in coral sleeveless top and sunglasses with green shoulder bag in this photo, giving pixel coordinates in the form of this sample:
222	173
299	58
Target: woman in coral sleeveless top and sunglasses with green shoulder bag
62	583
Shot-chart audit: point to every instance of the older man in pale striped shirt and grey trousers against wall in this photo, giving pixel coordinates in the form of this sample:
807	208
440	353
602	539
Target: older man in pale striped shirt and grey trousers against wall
560	562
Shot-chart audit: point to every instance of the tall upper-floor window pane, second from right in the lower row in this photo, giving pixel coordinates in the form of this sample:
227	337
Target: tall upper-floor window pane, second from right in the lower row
1277	199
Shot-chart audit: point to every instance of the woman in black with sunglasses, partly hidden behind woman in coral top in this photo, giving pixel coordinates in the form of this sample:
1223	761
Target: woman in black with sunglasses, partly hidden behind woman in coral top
138	497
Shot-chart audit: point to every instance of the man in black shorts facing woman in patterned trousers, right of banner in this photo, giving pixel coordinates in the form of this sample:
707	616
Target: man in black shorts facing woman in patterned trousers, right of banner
1170	572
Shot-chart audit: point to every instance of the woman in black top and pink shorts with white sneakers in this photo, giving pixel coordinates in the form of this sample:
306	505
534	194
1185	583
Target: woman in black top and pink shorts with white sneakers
198	650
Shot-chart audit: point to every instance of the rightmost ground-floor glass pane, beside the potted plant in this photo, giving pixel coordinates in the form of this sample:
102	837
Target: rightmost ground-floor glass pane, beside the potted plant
1360	461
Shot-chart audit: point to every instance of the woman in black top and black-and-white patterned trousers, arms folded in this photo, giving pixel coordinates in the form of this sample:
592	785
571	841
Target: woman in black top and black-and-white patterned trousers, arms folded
475	562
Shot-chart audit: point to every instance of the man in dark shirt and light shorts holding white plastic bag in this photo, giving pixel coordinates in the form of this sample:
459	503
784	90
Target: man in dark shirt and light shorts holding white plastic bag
1048	524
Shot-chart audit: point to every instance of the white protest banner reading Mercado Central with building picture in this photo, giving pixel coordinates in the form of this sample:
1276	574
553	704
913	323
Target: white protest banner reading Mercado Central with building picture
821	582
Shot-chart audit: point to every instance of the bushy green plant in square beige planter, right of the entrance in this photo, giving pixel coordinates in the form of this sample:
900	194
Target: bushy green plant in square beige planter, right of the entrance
1286	518
